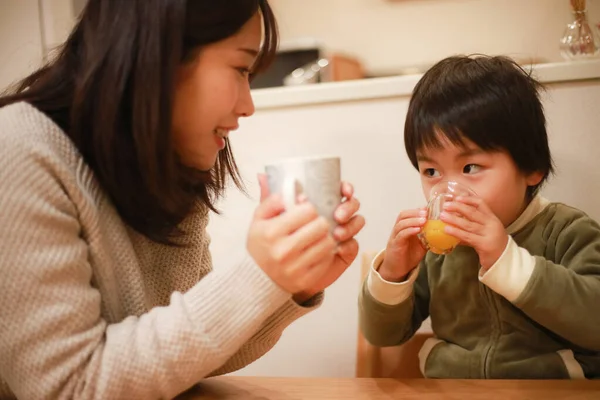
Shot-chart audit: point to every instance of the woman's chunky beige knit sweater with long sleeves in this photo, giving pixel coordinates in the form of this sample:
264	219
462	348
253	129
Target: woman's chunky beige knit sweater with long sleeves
91	309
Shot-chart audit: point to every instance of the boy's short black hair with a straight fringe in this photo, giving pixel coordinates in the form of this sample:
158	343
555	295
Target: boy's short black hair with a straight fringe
490	101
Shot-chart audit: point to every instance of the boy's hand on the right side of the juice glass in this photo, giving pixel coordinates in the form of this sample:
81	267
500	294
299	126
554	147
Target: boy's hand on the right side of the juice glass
476	226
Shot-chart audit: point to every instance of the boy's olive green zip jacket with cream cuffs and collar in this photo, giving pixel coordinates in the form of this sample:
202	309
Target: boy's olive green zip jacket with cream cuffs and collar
534	314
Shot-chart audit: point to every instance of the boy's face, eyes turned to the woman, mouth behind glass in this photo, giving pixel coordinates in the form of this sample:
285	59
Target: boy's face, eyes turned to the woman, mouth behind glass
493	175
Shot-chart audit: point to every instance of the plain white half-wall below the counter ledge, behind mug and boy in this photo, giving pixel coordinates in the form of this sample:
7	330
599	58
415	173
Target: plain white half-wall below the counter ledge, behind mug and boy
368	137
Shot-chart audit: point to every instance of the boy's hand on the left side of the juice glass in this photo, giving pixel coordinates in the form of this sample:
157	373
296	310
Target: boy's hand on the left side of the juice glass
404	249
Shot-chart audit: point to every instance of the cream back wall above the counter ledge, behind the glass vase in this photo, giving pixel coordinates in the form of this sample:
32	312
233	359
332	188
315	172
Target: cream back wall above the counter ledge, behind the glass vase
387	35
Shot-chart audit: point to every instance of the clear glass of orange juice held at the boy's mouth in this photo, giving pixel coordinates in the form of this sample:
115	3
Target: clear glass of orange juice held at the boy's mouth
432	235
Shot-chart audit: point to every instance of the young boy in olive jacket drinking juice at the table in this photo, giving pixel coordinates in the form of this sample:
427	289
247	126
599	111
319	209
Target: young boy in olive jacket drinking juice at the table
519	298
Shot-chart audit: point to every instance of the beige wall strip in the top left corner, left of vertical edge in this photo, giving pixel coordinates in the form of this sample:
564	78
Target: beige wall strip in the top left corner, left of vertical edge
20	40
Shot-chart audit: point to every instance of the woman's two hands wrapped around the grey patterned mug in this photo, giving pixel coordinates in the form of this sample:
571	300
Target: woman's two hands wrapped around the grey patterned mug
295	248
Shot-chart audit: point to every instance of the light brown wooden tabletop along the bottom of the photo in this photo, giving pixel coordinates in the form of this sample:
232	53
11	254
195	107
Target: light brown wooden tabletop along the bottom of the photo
264	388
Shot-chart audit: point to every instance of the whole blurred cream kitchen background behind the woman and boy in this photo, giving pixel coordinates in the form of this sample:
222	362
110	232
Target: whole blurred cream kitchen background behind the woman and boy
340	86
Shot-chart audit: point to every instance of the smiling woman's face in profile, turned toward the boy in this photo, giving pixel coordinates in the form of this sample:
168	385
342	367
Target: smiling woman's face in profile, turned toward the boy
212	92
